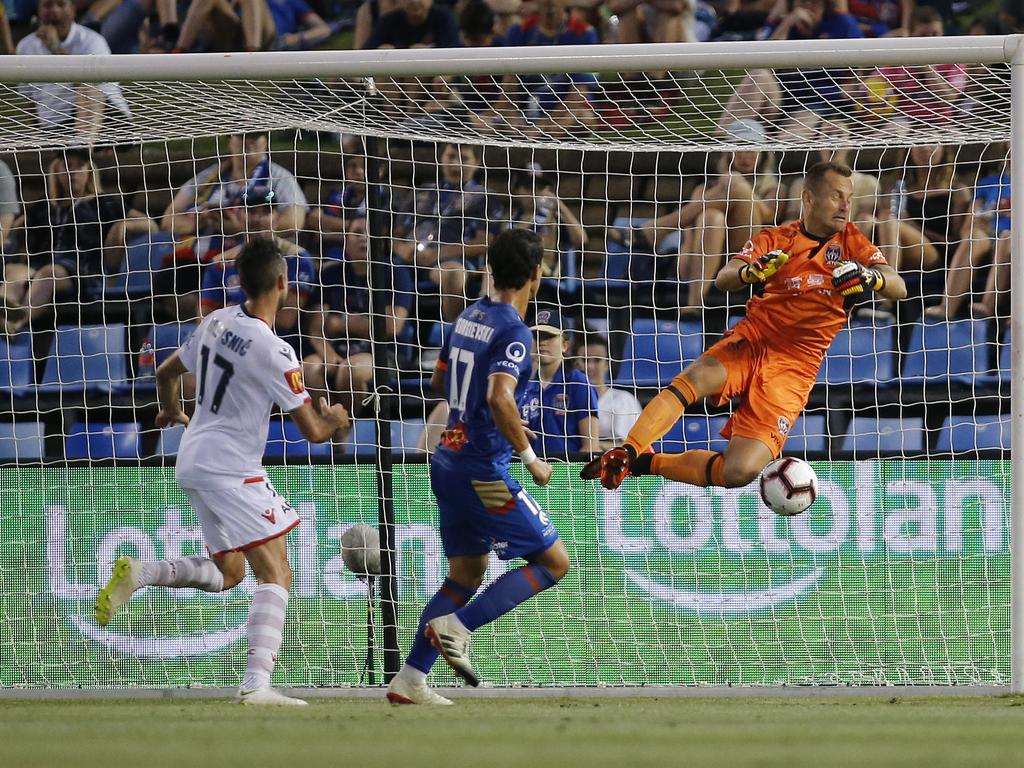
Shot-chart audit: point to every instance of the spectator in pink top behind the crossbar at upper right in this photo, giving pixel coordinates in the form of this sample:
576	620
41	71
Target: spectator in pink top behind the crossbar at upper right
919	96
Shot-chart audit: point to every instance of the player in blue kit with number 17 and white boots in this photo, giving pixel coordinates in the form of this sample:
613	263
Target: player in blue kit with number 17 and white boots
484	371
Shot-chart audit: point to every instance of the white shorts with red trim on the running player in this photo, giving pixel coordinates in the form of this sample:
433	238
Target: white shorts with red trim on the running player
237	520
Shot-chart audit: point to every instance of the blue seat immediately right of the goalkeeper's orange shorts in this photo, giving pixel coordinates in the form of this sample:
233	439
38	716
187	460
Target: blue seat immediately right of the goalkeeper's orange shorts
862	354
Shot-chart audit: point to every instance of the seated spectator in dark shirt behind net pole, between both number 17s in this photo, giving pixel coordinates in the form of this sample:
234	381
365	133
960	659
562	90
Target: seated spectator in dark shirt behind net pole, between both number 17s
339	360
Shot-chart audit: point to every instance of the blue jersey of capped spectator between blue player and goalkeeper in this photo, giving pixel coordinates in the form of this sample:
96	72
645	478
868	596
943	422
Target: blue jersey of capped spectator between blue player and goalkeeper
558	411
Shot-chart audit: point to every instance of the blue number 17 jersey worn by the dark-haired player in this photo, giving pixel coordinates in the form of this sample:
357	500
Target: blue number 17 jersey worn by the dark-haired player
488	338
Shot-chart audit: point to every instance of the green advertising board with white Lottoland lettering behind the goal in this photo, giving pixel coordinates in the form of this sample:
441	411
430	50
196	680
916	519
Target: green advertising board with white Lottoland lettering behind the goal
899	575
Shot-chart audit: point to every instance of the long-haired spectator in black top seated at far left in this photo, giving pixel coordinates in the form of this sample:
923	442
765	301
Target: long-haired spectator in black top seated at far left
75	235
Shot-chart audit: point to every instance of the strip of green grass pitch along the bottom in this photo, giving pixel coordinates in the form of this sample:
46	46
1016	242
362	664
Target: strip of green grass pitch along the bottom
523	733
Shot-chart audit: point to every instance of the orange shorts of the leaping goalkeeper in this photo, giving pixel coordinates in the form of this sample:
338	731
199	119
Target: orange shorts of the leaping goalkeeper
773	383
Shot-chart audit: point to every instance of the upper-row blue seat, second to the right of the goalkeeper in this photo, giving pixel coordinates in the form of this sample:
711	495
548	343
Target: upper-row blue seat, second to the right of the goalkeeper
948	352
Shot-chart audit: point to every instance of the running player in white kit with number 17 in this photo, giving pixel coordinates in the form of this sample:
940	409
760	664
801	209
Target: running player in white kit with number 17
242	371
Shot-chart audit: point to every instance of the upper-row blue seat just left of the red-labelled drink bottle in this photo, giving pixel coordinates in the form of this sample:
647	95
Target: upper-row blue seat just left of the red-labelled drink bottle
87	359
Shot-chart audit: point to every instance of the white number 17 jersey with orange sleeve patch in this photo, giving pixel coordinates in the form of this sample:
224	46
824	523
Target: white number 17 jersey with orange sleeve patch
242	370
